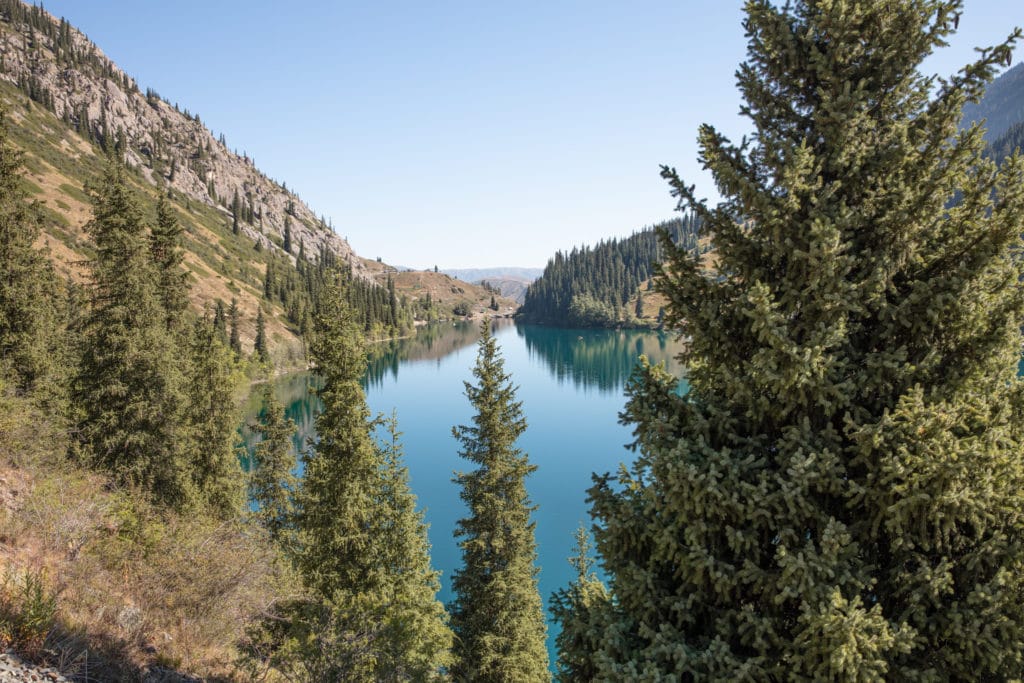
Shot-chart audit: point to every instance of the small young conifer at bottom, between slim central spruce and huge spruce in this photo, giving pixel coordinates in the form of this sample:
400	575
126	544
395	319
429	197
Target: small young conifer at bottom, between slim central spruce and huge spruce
579	611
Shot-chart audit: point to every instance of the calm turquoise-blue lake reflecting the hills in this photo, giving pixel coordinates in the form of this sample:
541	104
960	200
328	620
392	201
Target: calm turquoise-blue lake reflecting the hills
571	383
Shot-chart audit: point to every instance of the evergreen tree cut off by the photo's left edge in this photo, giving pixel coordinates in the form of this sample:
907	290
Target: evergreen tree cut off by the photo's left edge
27	296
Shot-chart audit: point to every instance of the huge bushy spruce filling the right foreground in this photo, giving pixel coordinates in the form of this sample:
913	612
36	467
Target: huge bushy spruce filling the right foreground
839	497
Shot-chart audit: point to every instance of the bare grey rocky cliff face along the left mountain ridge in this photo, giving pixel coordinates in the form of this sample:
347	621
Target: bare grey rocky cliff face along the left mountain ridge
59	68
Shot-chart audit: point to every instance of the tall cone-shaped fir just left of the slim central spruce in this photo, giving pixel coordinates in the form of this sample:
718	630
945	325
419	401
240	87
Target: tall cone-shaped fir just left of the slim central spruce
372	621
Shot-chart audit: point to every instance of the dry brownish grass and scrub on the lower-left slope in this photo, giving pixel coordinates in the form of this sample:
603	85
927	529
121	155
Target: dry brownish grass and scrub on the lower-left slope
137	587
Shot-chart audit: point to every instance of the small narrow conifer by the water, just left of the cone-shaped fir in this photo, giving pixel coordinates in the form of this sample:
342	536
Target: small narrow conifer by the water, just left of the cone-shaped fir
272	484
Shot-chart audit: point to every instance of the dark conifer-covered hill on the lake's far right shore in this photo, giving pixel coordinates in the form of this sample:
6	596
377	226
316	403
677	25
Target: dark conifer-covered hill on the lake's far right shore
591	287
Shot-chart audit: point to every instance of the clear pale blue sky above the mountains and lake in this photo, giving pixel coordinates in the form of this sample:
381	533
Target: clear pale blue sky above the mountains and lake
462	135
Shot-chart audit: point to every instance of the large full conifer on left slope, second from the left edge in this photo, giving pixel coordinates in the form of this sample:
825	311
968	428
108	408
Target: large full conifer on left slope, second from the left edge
129	389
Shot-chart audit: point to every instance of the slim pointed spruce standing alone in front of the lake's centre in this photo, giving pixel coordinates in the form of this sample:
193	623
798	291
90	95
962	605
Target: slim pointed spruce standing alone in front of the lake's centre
497	614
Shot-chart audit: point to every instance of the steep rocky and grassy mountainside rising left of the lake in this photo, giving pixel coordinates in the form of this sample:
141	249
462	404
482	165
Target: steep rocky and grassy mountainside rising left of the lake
250	244
